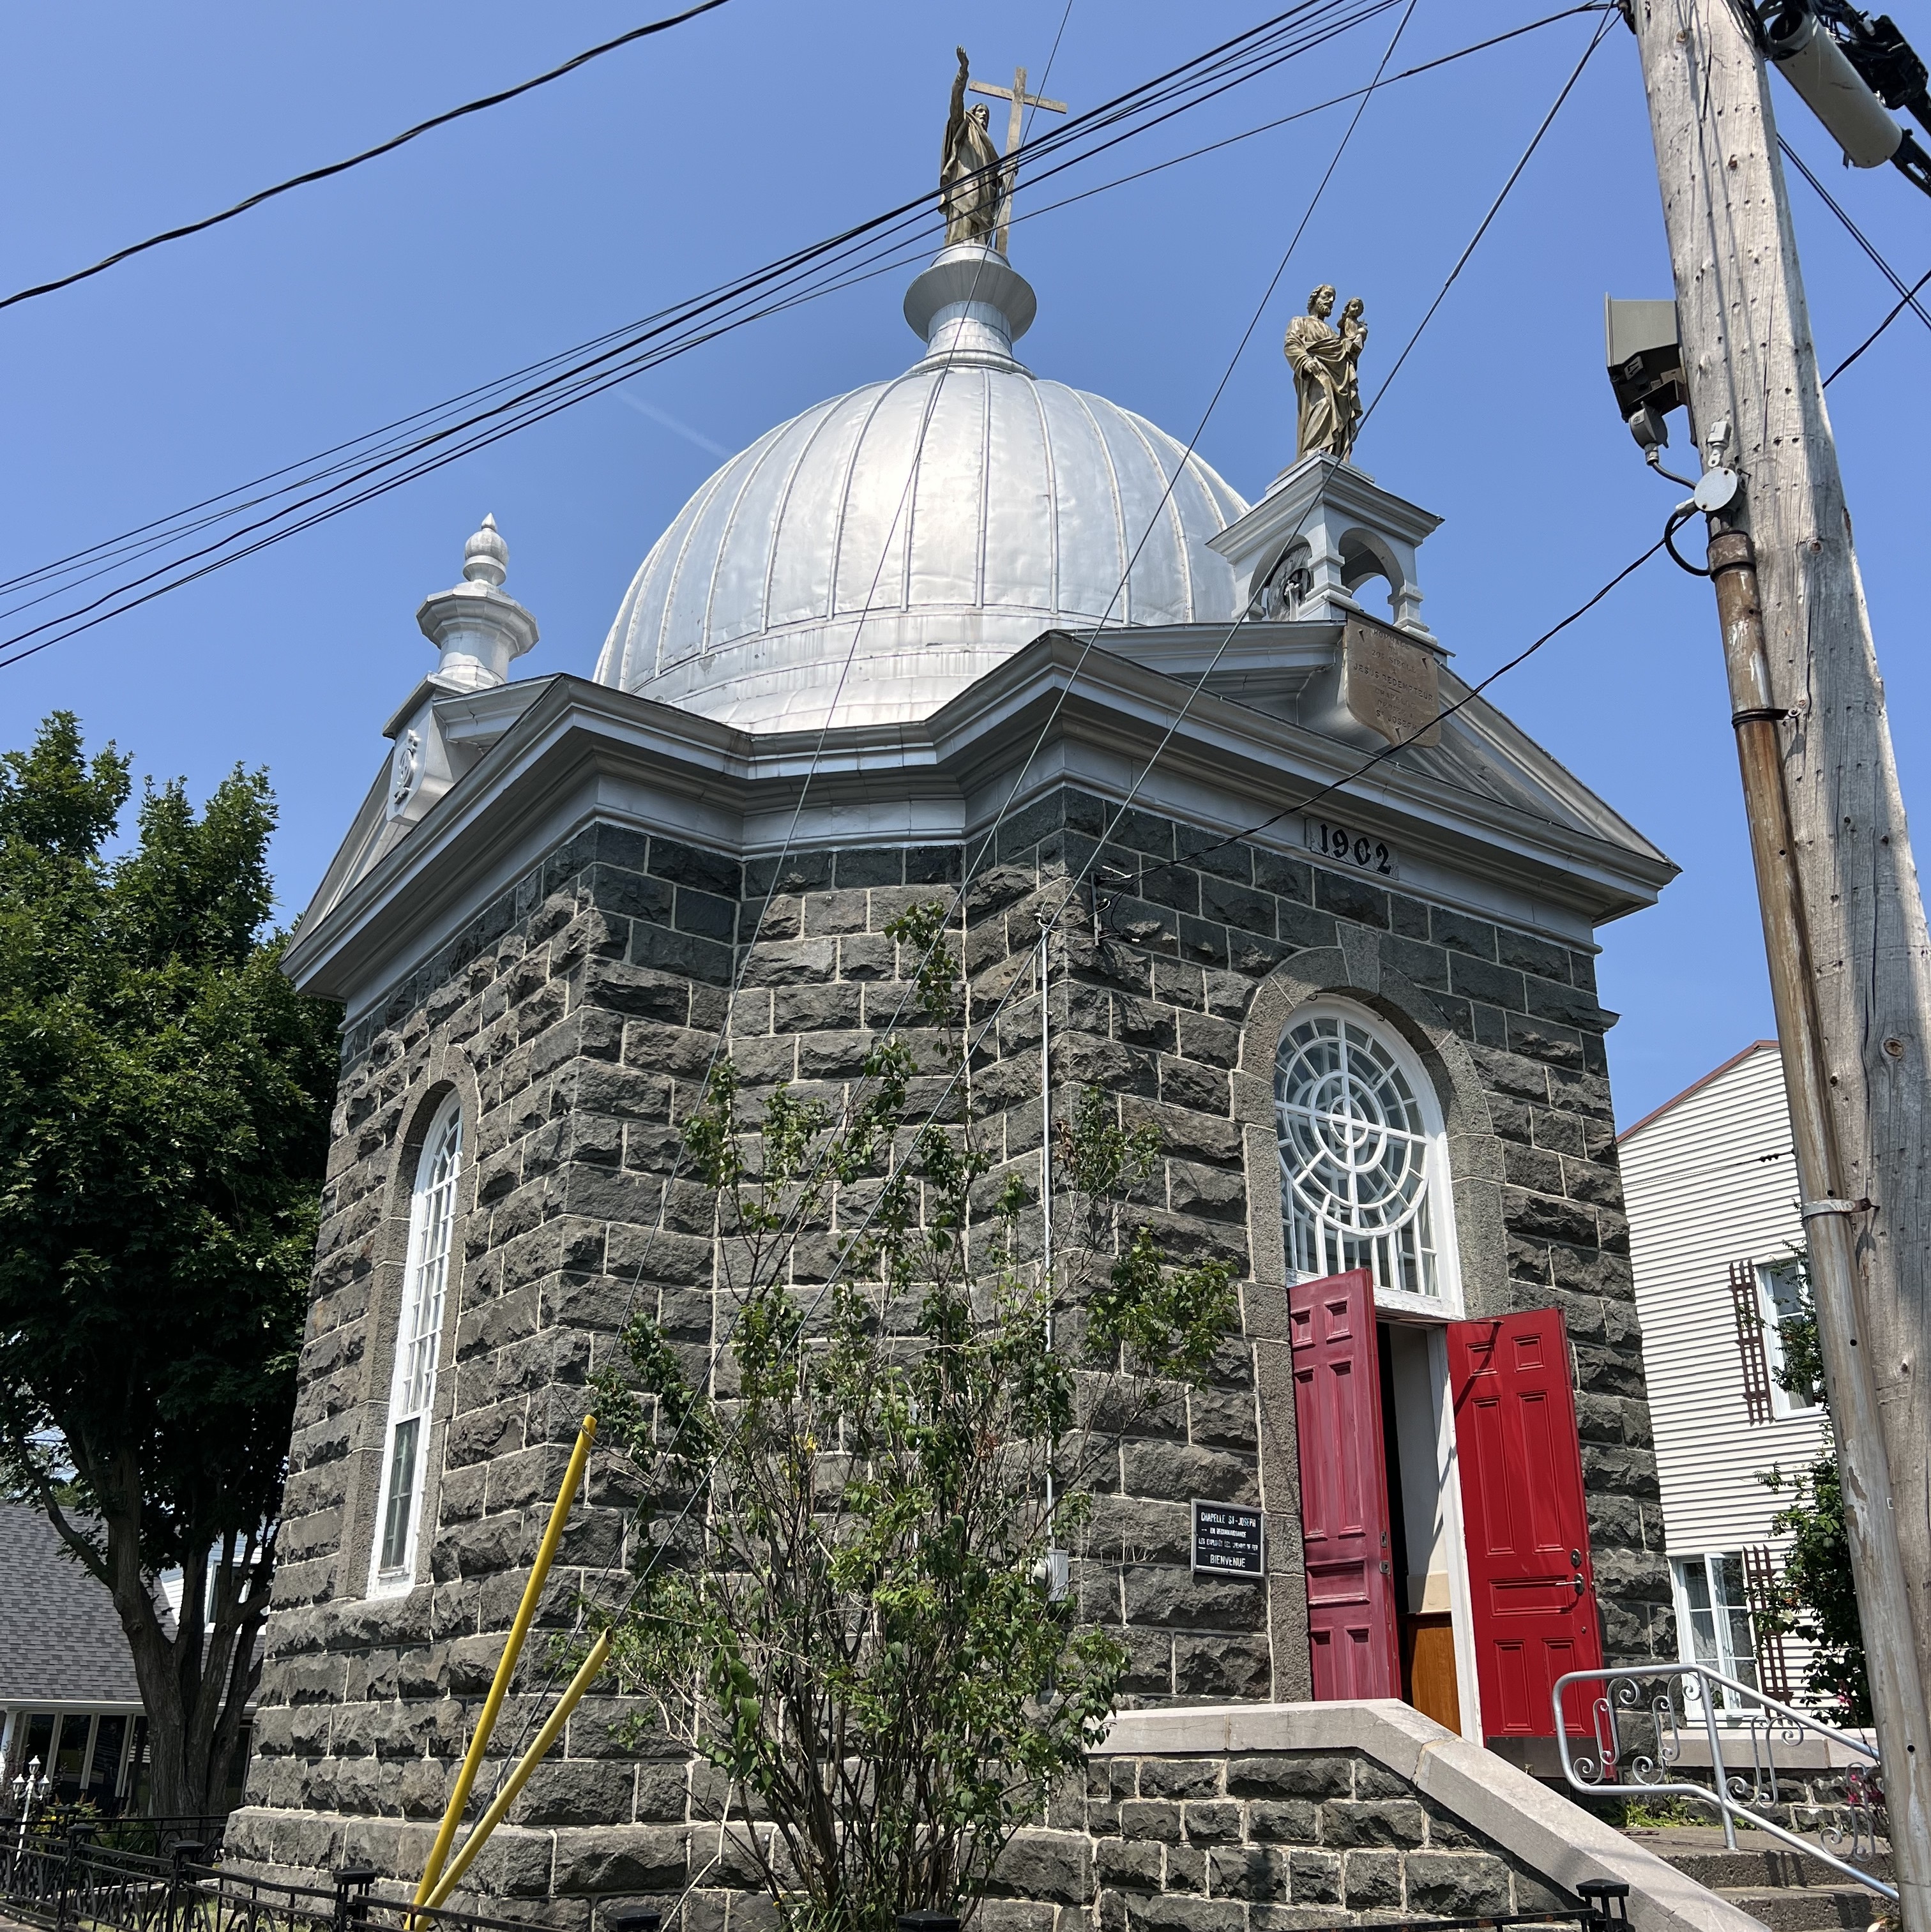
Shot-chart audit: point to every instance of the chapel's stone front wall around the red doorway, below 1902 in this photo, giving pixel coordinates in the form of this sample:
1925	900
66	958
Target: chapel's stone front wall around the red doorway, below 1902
1176	971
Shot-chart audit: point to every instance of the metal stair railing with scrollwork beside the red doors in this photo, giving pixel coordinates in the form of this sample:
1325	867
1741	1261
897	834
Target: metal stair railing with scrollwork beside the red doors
1640	1722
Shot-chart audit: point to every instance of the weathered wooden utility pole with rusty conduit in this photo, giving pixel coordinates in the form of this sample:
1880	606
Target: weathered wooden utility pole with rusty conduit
1845	924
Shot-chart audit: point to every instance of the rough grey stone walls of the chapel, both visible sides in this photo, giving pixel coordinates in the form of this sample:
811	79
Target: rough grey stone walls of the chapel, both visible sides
577	1015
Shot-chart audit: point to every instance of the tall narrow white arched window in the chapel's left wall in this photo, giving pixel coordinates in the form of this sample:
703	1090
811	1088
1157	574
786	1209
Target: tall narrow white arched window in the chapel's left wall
418	1338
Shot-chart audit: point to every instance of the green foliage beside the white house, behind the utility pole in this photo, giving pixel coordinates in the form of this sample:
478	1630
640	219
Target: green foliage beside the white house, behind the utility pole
1814	1597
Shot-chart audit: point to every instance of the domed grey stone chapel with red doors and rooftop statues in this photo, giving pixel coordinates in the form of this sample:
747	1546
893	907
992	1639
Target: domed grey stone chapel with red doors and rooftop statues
1383	1091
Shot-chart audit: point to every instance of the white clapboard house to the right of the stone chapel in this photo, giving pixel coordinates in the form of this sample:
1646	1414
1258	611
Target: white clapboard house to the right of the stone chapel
1714	1232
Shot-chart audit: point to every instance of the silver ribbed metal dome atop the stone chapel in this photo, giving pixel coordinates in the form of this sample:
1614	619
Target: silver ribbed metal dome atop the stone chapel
882	552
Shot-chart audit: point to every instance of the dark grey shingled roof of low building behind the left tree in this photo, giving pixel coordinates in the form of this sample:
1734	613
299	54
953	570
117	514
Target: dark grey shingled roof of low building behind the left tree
61	1637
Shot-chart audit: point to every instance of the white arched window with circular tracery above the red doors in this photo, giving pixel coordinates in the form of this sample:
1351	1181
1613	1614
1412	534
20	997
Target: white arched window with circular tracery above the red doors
1364	1156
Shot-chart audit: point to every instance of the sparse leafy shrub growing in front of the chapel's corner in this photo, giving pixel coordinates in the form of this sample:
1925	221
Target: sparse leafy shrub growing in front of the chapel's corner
855	1593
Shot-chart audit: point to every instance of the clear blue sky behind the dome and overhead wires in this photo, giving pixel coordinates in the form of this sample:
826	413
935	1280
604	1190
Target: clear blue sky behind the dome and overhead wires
706	152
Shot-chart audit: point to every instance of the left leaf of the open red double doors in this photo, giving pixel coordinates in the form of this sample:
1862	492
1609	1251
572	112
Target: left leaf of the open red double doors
1352	1634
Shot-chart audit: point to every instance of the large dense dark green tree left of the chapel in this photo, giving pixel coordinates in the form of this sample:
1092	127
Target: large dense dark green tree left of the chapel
163	1127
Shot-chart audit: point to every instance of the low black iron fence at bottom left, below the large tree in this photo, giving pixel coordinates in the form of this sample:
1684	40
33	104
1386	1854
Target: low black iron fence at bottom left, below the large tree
98	1889
